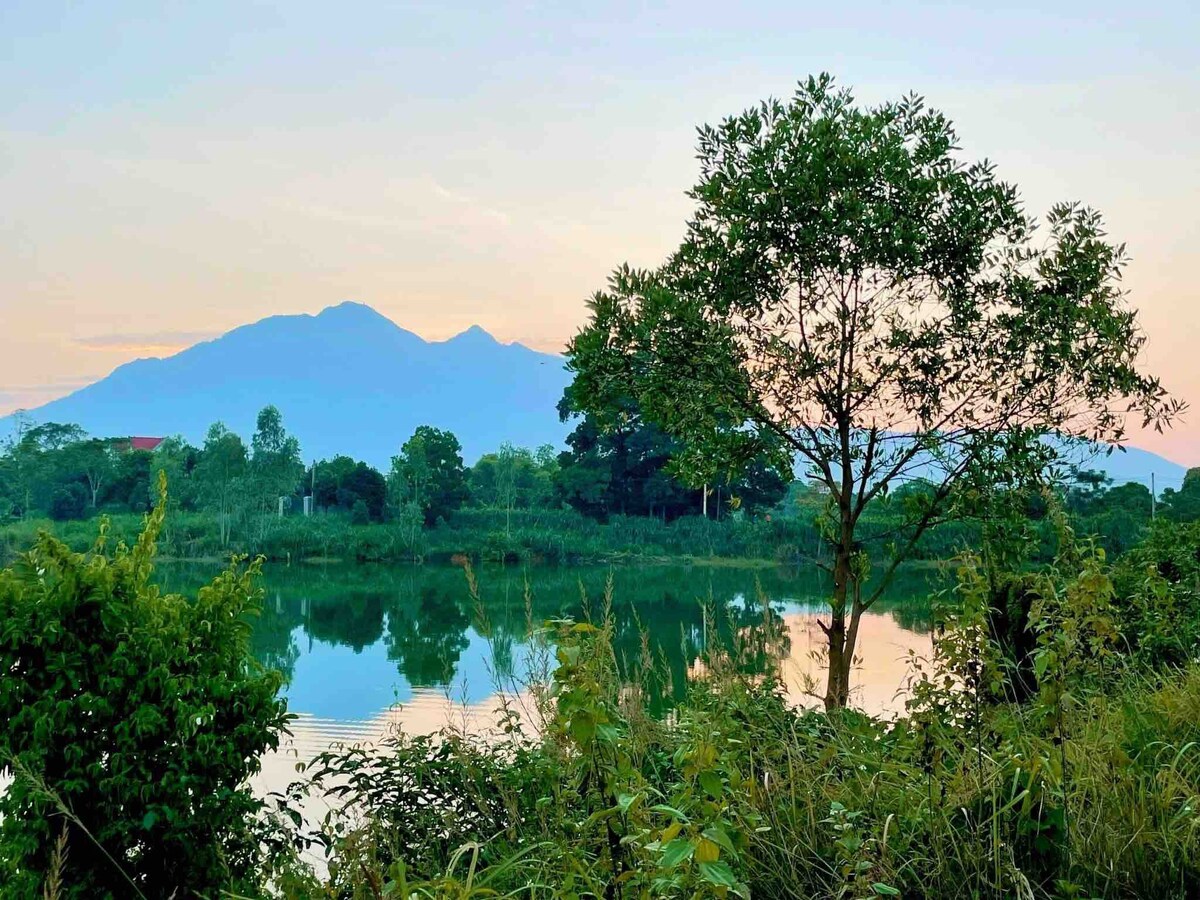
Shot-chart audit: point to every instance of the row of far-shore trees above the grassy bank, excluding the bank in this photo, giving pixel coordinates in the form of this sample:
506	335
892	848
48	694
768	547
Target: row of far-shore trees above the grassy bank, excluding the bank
58	472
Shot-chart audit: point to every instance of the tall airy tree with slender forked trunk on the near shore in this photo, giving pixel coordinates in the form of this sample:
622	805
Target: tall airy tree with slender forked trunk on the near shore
850	291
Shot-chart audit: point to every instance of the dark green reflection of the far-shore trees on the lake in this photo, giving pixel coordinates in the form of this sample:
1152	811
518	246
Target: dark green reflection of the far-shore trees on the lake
422	620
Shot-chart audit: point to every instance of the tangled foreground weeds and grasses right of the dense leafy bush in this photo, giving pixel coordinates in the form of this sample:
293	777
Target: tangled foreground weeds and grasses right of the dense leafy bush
1088	788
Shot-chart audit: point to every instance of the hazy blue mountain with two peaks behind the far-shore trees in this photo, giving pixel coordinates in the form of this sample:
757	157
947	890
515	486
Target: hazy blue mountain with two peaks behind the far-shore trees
347	381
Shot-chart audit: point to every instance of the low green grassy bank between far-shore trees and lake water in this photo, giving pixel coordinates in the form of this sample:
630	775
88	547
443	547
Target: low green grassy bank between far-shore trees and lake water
477	535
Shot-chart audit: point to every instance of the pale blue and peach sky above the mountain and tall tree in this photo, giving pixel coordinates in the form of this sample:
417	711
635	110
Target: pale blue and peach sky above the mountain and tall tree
172	171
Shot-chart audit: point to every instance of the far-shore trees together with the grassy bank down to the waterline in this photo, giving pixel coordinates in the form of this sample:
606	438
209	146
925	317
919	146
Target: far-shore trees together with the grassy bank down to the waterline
610	495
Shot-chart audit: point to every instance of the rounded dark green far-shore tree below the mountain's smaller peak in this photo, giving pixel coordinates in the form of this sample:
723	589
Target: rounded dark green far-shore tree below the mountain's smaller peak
429	472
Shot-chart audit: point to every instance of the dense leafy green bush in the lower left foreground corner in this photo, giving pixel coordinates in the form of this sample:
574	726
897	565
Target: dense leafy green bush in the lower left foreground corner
133	722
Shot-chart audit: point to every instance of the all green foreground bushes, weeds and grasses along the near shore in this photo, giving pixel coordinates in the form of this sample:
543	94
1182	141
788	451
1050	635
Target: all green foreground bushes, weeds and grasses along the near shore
1087	785
